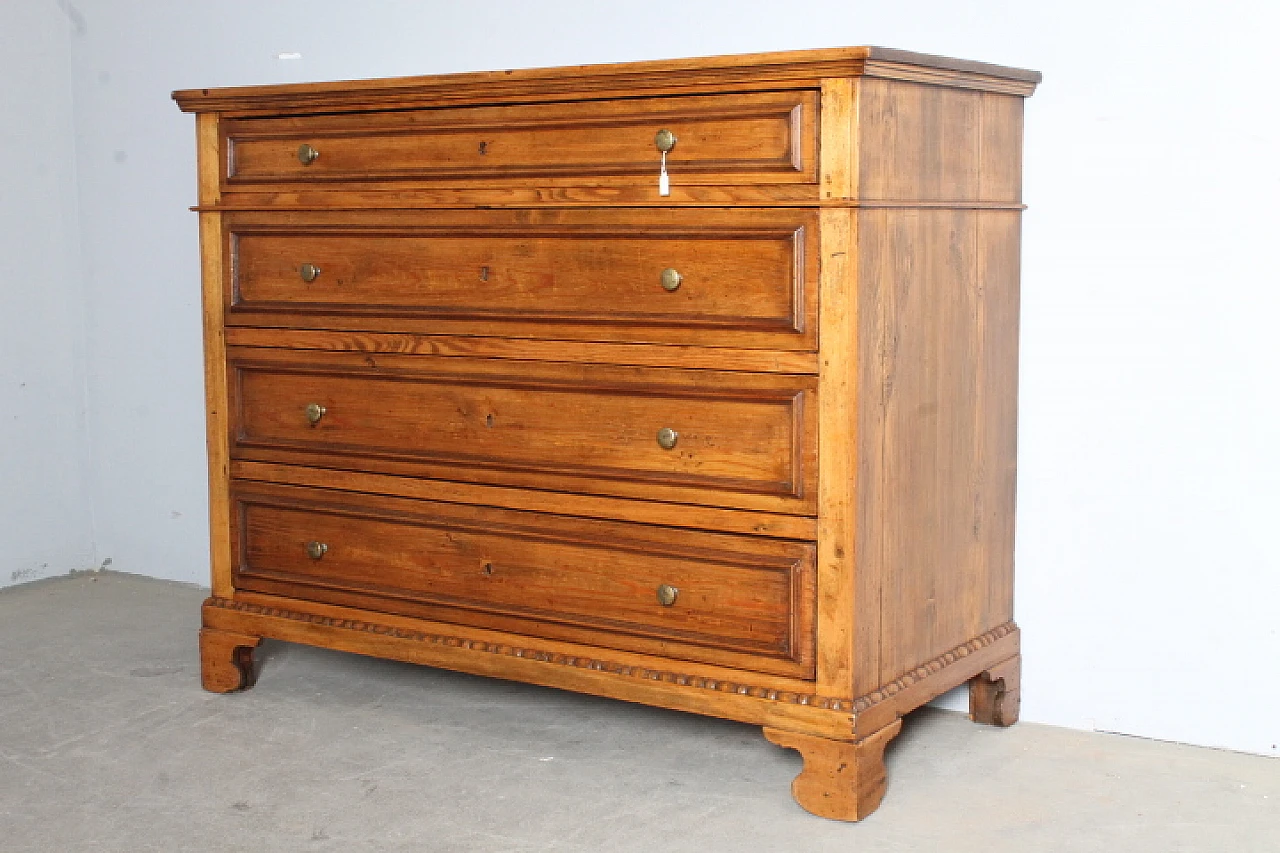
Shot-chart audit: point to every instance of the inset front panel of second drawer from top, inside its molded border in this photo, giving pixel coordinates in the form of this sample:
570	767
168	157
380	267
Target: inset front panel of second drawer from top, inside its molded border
738	281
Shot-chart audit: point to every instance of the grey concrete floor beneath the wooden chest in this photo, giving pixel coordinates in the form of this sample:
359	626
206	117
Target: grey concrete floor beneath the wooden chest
108	743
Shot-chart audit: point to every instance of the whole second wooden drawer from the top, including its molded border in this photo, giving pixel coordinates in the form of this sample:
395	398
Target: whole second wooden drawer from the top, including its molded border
708	279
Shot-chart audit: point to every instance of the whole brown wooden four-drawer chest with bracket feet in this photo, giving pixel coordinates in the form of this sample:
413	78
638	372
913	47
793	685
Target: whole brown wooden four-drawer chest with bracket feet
484	395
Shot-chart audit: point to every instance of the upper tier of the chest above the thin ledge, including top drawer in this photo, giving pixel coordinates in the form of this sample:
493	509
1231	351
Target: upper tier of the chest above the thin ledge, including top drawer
764	130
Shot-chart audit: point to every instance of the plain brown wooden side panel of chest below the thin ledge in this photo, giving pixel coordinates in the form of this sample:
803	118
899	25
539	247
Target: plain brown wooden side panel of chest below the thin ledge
940	340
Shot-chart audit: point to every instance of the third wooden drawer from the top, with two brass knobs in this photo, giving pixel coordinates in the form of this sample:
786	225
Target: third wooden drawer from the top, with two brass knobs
742	440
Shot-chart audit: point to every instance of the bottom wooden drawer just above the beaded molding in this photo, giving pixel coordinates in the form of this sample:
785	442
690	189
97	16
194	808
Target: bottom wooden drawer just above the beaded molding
720	599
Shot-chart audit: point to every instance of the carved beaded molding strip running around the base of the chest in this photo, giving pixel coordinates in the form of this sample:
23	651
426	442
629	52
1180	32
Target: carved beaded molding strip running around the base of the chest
830	704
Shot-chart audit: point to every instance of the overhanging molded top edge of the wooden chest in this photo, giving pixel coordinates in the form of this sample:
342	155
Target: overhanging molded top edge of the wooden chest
790	70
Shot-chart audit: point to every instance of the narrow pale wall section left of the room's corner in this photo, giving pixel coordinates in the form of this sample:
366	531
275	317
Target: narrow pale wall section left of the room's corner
45	522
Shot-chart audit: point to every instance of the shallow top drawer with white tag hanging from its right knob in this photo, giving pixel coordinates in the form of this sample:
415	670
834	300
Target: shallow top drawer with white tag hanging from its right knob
765	138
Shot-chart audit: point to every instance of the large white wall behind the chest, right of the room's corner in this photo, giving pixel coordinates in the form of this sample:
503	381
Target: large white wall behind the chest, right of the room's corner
1149	578
